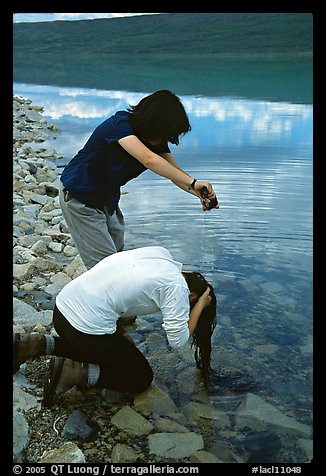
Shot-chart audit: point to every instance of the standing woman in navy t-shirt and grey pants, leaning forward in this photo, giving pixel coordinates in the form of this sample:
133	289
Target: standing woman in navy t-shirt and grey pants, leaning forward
121	148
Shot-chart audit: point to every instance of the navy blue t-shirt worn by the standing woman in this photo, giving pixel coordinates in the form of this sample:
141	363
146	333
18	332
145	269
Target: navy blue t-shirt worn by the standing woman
96	173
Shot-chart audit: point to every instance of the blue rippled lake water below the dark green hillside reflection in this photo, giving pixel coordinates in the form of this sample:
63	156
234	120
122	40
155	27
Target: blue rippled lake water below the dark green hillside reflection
256	249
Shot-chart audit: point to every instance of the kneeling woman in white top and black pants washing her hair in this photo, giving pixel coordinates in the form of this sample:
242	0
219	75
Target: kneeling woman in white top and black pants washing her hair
90	350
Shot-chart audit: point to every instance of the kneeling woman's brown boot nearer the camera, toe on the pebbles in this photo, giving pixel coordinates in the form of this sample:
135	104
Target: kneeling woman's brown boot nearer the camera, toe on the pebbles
63	375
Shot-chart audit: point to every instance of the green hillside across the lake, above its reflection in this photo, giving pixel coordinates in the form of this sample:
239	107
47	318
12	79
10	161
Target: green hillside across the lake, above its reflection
204	34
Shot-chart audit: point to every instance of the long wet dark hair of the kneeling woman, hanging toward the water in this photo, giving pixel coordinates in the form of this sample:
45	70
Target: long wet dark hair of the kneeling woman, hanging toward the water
201	337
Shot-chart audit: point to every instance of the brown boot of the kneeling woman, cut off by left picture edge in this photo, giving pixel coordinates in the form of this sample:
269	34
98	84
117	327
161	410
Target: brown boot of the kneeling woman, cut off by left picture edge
27	347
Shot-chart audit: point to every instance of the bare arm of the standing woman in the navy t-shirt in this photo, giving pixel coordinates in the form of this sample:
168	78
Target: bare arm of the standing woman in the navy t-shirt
160	165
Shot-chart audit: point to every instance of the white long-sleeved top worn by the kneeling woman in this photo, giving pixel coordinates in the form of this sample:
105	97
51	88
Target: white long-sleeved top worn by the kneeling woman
129	283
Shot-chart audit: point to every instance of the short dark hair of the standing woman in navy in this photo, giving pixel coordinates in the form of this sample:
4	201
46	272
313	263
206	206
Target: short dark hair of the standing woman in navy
160	115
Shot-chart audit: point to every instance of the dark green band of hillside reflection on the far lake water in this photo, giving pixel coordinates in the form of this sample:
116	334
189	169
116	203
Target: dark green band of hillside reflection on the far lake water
287	80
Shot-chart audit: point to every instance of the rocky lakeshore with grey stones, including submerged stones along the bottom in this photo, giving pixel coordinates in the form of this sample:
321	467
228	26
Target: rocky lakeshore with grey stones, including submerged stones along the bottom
101	426
